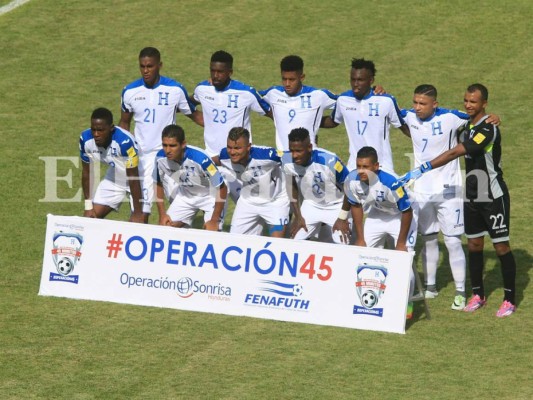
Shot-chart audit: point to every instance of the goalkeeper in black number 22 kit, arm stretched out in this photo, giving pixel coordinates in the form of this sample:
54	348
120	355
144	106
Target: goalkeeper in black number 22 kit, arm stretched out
487	204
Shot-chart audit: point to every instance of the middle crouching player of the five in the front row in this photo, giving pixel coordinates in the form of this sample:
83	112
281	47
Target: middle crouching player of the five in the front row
262	196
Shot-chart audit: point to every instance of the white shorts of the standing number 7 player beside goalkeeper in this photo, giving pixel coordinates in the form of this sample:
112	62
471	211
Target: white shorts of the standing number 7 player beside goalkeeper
437	213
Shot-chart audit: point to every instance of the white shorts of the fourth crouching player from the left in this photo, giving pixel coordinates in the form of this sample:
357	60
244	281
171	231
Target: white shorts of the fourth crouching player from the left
315	219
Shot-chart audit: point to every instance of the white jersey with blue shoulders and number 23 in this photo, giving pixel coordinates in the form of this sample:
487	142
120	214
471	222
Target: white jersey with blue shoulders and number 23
226	109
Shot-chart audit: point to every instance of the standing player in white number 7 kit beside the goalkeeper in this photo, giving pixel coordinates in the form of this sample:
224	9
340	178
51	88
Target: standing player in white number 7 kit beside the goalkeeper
439	193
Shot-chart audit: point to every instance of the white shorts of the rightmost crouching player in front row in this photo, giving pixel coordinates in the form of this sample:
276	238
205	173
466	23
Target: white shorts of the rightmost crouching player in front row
380	226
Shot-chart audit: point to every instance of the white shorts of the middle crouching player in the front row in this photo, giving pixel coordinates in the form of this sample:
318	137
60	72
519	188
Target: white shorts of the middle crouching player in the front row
247	216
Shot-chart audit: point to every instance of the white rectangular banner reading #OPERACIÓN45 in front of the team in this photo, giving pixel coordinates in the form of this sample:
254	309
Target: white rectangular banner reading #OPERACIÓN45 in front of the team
189	269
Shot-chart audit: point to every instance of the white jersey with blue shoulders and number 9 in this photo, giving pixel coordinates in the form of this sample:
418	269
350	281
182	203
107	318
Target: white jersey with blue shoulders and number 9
302	110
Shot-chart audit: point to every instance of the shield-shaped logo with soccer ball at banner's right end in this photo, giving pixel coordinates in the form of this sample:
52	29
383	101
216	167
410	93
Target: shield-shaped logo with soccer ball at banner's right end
370	286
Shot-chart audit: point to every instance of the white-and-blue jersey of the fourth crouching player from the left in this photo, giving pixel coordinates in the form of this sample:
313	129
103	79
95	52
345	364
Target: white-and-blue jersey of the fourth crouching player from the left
322	180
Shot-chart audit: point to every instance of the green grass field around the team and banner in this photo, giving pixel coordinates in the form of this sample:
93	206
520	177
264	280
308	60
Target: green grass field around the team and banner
61	59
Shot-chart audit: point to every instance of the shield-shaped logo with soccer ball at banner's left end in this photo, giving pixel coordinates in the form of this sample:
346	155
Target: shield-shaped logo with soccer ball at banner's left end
66	252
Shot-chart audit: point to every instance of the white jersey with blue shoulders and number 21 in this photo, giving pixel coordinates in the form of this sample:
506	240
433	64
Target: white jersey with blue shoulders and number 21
154	108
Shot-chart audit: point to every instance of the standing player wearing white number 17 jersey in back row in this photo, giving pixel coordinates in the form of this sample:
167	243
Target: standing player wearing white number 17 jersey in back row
367	116
